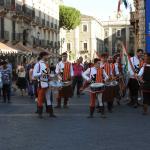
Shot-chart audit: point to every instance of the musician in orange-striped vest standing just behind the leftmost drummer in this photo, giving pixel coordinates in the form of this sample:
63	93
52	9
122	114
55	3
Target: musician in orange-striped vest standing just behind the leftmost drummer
64	70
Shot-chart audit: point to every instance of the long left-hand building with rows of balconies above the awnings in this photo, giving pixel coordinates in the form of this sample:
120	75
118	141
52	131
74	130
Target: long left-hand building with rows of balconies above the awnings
30	26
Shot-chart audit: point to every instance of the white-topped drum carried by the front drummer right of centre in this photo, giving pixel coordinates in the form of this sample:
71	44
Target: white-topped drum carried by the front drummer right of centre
97	87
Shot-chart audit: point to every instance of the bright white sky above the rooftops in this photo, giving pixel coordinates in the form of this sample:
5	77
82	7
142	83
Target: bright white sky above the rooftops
98	8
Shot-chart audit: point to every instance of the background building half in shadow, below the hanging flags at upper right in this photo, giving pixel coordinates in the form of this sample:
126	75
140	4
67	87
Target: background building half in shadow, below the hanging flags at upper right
118	31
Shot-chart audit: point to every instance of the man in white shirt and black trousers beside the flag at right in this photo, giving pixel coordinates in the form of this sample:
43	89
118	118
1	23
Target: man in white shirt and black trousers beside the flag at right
133	84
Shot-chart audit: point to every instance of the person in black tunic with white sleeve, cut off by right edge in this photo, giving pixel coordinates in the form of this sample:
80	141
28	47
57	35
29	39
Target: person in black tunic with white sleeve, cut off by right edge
144	75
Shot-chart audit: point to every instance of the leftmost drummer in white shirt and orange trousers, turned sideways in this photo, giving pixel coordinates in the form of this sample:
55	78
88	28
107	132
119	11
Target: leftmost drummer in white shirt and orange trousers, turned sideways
41	73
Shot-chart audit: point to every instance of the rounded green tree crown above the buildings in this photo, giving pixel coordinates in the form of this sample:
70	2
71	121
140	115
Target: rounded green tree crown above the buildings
69	18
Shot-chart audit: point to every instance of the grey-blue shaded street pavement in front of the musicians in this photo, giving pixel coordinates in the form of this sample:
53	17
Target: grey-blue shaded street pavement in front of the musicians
20	129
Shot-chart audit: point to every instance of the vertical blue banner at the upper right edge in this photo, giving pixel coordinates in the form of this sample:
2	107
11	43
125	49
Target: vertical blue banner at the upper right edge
147	24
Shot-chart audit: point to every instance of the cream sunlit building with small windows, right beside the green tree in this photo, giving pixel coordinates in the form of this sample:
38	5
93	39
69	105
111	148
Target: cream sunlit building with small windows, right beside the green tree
86	40
